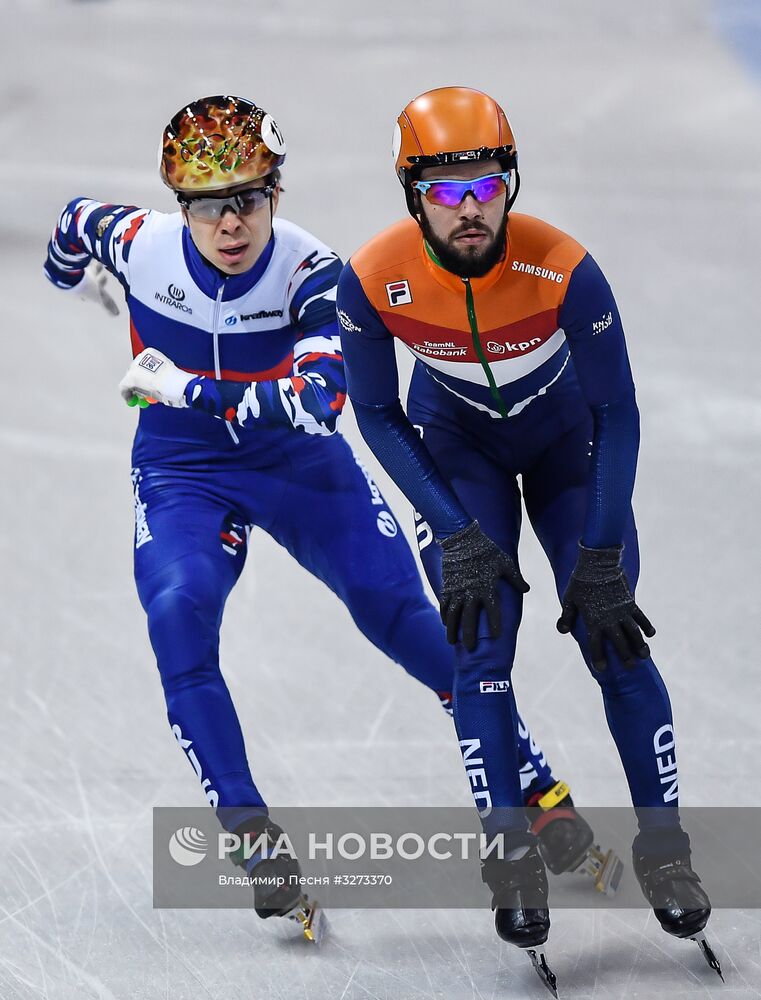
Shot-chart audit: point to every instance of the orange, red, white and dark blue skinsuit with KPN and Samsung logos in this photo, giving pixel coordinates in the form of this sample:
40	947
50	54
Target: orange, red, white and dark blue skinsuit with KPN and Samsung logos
522	373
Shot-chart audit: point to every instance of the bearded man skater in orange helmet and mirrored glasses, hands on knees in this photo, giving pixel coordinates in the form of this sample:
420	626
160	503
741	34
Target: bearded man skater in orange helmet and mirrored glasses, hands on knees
521	397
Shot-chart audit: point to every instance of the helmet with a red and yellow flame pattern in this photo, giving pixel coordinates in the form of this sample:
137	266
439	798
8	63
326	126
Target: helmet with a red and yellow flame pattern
219	142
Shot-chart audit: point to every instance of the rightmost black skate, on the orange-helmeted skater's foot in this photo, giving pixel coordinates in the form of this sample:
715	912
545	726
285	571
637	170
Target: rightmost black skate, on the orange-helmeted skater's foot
673	889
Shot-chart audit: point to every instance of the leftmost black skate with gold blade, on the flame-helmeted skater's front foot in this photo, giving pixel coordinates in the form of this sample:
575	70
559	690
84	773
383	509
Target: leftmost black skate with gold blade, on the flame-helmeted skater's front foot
275	878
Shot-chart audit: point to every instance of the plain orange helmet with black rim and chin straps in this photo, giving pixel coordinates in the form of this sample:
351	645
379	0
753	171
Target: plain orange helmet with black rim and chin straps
452	125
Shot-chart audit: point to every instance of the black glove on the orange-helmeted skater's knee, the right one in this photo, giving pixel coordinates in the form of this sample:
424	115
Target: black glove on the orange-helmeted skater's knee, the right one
599	590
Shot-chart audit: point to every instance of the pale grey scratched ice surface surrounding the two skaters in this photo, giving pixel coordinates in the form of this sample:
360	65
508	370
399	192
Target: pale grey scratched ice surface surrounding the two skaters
638	133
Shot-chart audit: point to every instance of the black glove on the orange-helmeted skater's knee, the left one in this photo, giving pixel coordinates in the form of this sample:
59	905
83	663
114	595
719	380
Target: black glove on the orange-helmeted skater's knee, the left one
471	565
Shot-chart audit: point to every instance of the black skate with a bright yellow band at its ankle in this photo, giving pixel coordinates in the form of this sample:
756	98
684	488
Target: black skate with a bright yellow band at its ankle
566	840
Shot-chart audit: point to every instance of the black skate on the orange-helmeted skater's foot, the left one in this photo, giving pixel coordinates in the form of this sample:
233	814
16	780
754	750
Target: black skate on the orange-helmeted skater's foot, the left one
519	899
